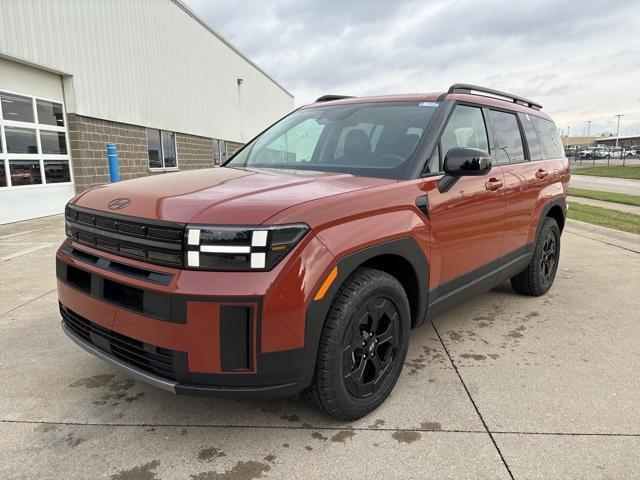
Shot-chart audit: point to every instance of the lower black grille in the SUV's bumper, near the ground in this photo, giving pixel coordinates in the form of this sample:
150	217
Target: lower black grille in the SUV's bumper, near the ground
147	357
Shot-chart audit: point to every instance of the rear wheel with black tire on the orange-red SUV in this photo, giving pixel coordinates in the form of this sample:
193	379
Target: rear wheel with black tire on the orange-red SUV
537	278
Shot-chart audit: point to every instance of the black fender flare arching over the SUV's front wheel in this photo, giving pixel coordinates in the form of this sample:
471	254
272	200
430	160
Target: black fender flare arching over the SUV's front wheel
405	247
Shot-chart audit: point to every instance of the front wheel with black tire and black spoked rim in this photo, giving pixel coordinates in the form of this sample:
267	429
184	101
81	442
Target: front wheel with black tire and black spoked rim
363	346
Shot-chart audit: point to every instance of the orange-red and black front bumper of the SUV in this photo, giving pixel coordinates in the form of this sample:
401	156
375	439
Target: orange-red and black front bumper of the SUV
200	333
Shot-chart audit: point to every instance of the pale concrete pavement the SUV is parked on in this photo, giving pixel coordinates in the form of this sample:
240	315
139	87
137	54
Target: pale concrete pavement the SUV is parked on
505	386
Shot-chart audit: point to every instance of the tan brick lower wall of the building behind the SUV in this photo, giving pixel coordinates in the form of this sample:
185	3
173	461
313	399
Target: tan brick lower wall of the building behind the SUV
88	138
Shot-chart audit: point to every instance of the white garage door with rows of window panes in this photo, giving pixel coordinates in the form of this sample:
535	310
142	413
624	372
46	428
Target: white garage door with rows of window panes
35	165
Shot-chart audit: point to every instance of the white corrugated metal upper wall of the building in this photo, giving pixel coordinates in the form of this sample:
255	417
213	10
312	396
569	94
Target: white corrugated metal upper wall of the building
144	62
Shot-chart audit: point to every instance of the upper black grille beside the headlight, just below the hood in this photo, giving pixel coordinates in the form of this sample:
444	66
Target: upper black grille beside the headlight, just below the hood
151	241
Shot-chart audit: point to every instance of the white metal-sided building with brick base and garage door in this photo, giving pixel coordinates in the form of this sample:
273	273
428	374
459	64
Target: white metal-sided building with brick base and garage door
126	72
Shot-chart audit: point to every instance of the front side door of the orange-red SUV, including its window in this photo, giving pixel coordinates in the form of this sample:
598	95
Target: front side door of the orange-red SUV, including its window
467	221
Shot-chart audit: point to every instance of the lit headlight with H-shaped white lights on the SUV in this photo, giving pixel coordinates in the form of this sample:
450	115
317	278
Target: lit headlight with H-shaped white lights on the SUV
240	248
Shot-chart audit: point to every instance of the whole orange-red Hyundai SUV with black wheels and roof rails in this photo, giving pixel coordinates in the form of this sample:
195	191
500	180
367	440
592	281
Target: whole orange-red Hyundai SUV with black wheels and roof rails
301	264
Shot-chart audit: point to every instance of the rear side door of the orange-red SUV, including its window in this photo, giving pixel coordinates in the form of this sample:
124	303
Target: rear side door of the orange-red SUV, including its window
519	153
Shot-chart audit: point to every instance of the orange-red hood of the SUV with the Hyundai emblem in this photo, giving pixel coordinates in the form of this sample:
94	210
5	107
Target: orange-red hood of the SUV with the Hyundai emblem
221	195
